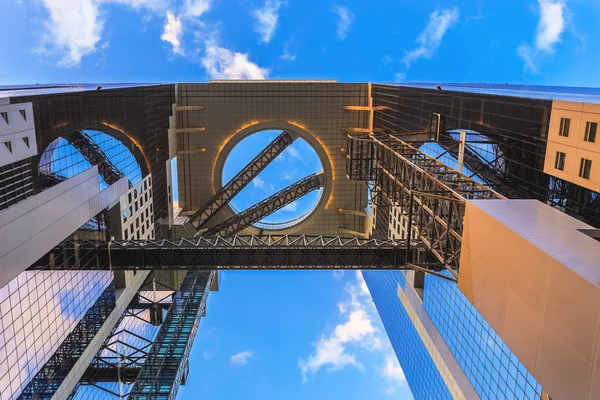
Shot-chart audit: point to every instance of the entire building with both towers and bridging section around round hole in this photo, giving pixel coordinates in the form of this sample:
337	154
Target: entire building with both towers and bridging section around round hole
470	209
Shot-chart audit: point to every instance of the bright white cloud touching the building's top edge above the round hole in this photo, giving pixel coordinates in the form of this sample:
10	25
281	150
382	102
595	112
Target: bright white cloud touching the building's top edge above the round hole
222	63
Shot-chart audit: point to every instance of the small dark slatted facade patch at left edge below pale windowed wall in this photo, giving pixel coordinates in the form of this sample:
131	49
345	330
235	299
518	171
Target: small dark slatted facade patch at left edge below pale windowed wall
16	183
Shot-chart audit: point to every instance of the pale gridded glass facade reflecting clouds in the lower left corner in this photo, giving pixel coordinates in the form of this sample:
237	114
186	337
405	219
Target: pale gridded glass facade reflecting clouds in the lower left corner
38	309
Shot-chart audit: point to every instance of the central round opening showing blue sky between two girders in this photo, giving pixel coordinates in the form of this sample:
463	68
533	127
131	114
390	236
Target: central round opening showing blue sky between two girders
296	162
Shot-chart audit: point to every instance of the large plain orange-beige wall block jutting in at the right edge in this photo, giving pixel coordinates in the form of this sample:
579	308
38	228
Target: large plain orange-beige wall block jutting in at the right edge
536	280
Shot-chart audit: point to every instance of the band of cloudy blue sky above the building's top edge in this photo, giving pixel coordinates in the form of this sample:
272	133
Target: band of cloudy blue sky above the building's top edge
516	41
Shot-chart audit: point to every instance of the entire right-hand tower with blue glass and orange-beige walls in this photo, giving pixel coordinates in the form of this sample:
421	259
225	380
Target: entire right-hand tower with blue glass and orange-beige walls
517	325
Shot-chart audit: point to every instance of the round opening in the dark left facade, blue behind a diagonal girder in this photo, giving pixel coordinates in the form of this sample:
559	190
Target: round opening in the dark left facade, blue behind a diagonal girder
62	159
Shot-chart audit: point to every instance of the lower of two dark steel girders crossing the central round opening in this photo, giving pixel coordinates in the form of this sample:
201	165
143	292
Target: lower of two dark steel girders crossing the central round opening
267	206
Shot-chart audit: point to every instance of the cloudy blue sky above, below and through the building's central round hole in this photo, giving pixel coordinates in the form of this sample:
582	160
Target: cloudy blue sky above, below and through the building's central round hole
273	335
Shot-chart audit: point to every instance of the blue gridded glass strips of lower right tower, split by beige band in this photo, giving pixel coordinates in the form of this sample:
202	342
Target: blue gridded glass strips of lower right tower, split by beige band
492	369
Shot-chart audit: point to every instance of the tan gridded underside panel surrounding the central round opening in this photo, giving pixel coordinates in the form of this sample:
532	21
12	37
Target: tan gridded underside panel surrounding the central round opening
314	111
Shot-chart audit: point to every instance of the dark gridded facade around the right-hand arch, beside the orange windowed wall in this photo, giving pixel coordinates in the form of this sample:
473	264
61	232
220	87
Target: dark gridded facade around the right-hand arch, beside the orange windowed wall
518	127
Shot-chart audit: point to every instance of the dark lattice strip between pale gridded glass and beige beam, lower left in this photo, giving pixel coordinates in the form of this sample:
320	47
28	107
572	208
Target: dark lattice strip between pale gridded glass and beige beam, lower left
52	374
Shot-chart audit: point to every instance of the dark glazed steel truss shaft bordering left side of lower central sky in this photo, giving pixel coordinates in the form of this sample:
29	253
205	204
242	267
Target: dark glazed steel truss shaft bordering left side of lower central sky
166	364
